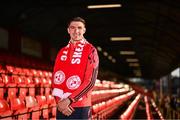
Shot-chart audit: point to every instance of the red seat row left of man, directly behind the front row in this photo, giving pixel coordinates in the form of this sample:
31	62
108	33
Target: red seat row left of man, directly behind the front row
22	86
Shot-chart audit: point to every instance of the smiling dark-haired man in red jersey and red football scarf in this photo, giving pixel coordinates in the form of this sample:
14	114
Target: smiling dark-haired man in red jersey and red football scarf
74	75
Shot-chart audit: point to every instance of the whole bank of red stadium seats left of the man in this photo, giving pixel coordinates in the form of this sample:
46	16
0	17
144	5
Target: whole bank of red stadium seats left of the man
20	86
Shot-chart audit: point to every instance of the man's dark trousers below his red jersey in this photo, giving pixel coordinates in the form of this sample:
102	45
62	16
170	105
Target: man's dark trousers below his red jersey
79	113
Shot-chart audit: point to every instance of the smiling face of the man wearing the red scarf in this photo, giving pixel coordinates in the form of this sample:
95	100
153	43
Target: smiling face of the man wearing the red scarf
76	30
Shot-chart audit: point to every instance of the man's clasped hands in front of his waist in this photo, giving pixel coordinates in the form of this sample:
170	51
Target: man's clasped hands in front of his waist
64	106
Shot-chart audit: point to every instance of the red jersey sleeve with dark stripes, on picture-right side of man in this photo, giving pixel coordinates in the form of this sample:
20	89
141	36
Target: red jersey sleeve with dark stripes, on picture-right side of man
89	78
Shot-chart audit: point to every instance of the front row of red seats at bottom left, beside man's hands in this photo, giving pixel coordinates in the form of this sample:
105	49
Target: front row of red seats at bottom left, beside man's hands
31	107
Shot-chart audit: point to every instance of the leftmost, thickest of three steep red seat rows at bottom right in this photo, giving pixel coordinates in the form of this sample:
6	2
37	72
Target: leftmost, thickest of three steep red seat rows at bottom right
128	114
